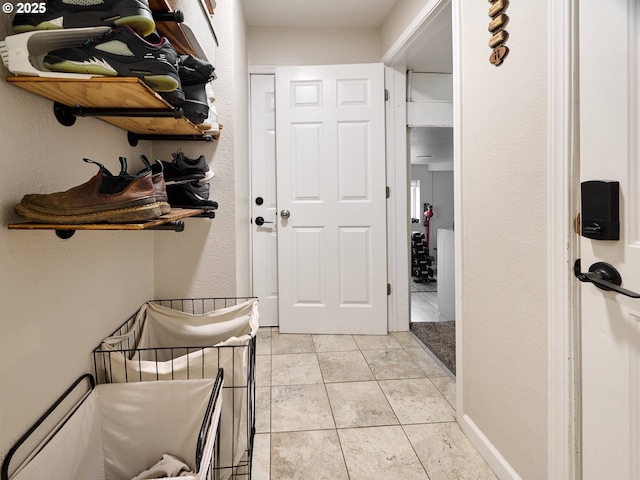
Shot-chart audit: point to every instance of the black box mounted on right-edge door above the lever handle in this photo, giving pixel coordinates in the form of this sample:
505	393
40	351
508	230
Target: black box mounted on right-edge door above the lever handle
600	217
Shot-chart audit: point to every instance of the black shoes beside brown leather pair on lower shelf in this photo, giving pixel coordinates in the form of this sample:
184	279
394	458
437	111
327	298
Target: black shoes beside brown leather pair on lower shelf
187	182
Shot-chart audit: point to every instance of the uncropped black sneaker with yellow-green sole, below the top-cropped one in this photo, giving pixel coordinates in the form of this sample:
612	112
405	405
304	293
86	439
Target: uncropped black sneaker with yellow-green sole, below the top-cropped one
121	52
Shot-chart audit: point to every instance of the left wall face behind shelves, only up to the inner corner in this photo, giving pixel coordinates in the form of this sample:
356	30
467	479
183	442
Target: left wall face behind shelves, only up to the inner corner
59	297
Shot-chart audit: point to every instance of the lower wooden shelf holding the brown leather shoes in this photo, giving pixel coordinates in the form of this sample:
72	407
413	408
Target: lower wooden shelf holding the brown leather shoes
170	220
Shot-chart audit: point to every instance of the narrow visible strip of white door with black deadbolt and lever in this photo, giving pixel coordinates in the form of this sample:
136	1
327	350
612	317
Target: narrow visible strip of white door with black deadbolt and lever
263	202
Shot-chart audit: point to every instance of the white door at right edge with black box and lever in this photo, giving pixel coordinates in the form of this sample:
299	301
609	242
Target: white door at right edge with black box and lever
609	149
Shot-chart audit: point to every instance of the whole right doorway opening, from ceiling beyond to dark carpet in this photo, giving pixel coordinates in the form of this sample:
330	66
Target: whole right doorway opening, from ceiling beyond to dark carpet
427	57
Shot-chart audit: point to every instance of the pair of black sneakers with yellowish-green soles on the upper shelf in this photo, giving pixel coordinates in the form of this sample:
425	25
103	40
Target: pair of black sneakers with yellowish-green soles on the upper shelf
131	48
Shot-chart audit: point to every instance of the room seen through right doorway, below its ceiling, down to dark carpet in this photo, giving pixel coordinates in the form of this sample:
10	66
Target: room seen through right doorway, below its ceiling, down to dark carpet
430	158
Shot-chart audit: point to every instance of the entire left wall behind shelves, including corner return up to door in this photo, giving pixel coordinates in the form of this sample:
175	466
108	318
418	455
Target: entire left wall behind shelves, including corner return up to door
62	297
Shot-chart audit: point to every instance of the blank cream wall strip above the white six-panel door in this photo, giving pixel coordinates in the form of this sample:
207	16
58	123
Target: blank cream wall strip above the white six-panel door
312	46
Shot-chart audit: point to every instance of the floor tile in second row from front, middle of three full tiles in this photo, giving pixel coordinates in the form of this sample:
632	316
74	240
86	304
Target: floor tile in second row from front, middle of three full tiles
359	404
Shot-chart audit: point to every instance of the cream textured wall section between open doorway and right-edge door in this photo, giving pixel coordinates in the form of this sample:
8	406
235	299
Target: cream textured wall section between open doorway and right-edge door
503	231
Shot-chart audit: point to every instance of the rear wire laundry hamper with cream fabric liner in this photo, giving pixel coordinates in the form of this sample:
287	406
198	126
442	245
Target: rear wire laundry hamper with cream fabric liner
191	338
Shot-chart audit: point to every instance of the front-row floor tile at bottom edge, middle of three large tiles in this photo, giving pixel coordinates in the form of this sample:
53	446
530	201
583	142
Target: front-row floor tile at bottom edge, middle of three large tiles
380	453
